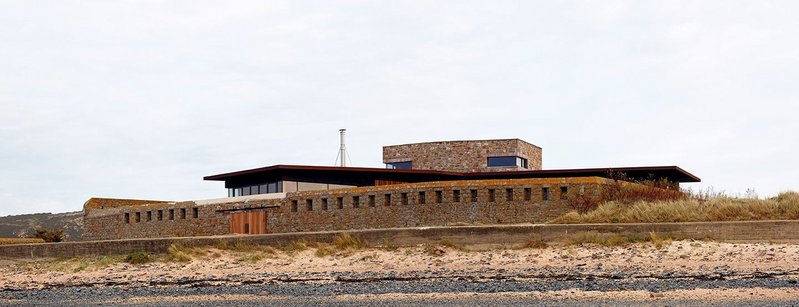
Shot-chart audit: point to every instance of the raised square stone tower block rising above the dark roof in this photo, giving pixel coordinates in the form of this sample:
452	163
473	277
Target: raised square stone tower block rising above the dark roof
463	156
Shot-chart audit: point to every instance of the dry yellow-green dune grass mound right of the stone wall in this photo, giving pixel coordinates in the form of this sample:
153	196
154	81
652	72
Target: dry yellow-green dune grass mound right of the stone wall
784	206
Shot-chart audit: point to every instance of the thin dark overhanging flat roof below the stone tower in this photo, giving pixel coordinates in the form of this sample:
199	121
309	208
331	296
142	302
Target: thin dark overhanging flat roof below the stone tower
673	173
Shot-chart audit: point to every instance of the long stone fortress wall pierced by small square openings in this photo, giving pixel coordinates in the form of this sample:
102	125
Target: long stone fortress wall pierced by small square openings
388	206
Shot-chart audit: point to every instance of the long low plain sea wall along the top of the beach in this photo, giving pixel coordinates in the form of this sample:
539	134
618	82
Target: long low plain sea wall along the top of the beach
739	231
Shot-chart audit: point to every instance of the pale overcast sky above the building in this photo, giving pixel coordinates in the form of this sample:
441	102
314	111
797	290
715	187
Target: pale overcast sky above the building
141	99
